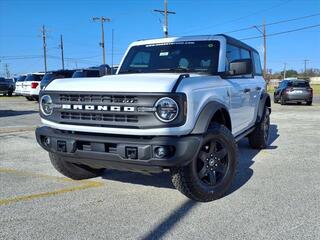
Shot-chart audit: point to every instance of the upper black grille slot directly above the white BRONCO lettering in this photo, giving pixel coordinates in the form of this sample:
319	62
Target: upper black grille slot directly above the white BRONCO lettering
97	98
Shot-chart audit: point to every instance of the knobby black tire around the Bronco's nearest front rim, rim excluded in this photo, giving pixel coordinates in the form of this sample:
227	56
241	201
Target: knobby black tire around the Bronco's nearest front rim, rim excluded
186	180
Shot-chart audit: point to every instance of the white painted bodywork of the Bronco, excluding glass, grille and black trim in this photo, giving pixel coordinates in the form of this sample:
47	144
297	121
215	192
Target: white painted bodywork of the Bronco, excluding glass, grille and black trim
199	89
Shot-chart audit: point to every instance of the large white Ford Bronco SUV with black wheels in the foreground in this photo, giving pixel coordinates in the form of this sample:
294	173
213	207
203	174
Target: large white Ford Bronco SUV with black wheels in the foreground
177	104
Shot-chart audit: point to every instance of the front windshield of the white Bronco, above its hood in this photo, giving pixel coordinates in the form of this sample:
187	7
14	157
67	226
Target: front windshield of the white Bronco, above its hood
190	56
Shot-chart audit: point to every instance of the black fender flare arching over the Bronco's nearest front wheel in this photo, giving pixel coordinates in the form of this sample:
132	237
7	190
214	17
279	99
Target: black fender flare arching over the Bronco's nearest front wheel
206	115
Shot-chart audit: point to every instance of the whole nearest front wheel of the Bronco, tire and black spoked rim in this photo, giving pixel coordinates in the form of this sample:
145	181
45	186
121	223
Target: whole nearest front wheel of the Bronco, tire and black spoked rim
210	174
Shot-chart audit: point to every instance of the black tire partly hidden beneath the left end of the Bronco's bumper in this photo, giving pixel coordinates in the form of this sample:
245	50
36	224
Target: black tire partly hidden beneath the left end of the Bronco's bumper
73	171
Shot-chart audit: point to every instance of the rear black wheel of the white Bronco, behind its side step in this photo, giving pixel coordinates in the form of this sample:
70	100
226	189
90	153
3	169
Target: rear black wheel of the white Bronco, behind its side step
258	139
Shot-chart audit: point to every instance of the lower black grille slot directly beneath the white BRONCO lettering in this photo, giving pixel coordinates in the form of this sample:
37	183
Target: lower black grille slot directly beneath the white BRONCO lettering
99	117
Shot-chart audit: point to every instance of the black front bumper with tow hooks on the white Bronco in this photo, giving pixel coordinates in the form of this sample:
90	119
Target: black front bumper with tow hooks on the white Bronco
119	152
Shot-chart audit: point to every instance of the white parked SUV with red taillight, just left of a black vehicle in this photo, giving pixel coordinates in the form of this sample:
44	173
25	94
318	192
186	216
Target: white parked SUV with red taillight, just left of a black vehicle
31	86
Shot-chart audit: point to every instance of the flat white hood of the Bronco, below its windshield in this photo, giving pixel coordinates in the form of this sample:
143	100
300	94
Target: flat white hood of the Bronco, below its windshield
142	82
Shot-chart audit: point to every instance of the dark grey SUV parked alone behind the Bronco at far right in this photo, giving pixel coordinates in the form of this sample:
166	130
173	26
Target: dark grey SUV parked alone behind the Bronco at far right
293	91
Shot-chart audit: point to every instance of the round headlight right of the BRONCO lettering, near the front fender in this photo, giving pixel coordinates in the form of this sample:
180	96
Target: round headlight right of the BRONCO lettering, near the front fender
166	109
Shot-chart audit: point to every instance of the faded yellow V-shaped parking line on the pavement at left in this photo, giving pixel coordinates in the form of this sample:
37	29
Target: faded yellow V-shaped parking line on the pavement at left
85	184
